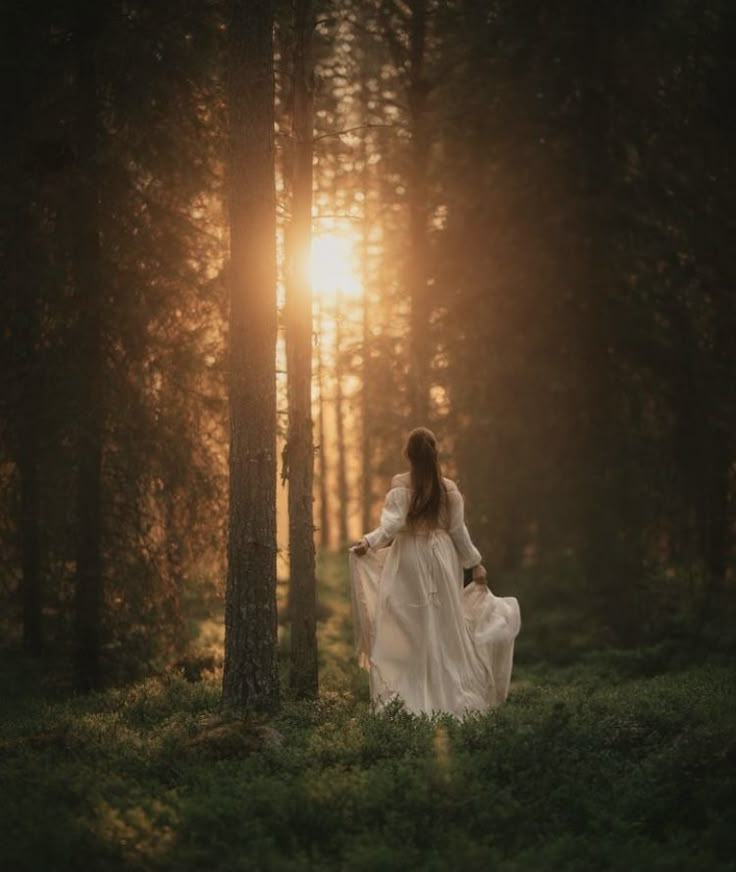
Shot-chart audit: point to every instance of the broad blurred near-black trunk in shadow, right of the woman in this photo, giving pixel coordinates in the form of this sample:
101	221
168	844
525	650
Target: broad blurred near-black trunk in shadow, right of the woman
610	554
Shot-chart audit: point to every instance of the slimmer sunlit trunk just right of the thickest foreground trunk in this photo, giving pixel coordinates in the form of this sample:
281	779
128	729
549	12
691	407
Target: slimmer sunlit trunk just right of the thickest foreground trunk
300	442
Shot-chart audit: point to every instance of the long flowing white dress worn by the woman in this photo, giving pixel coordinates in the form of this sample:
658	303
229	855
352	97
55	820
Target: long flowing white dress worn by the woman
422	637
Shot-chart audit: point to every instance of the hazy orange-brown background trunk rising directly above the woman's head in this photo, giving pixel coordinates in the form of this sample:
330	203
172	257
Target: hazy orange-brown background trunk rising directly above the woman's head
419	352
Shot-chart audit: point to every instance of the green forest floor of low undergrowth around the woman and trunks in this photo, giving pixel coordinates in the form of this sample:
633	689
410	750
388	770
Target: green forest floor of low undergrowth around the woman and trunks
622	761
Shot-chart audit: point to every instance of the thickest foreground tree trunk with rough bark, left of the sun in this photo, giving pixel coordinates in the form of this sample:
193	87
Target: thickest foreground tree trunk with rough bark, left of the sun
251	668
